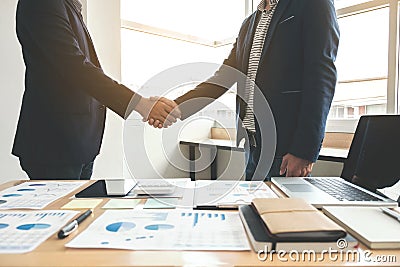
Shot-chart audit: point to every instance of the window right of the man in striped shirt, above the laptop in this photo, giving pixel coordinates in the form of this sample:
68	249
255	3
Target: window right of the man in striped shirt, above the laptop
366	84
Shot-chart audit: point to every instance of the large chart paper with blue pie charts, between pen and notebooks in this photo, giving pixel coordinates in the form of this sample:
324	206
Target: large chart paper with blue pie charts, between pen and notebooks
179	229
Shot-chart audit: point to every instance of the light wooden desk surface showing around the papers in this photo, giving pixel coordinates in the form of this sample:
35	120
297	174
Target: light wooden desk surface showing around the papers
53	253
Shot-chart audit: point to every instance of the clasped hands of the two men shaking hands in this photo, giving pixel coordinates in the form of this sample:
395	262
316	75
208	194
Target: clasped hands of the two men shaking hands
159	112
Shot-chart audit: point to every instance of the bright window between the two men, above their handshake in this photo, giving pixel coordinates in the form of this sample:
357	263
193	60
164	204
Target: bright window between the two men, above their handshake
160	34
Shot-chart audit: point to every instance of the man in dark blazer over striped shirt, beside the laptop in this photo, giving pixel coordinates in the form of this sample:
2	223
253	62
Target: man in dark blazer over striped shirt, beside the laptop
287	48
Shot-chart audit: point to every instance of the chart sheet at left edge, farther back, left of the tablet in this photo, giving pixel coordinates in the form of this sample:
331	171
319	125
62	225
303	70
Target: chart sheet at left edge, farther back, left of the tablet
36	195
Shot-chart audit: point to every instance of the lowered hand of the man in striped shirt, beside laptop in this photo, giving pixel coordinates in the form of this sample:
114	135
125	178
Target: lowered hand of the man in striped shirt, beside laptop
295	167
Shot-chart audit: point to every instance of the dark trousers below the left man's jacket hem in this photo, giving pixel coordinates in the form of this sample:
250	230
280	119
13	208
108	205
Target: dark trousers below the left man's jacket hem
57	171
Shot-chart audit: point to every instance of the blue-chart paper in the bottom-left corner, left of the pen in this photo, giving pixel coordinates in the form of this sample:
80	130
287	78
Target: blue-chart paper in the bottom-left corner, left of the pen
22	232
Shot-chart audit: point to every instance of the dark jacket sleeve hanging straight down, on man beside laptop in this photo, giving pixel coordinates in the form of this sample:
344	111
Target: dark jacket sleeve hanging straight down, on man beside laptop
321	40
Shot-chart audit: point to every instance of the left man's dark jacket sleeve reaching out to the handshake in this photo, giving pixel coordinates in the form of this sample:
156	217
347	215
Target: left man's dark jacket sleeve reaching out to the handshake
47	24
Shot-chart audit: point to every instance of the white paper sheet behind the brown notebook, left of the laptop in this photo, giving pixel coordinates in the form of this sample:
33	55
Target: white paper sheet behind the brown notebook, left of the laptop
230	193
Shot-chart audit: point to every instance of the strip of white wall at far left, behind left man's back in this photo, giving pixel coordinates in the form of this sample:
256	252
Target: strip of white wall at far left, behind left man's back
11	90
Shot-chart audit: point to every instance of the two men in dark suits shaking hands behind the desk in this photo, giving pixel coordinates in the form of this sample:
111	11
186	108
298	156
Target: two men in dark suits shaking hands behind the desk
286	48
